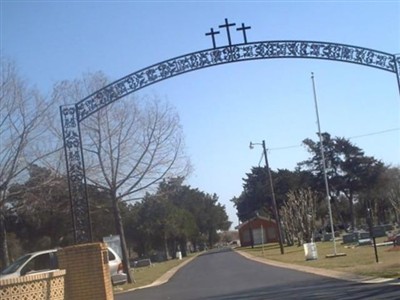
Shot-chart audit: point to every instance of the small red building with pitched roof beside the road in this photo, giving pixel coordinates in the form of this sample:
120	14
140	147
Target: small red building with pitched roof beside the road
260	230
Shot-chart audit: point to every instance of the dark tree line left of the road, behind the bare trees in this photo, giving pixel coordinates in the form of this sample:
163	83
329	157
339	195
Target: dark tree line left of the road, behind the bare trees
160	224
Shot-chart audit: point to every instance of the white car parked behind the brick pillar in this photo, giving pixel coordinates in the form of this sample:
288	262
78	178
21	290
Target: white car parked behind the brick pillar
45	261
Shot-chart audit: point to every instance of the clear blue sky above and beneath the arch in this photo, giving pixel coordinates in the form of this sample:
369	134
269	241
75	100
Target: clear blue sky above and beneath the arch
223	108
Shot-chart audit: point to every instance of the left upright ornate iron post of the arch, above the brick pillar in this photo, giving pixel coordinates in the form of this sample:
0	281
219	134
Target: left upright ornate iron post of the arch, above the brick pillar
76	175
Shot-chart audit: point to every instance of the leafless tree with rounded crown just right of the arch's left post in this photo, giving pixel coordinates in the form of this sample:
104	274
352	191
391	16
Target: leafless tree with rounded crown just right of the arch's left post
128	146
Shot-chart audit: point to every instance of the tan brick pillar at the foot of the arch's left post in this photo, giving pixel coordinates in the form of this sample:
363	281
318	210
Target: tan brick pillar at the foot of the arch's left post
87	272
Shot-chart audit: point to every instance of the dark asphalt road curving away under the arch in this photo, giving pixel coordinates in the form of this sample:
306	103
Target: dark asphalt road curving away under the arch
224	274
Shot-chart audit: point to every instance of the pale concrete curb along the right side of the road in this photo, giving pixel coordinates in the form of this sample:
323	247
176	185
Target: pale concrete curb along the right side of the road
322	272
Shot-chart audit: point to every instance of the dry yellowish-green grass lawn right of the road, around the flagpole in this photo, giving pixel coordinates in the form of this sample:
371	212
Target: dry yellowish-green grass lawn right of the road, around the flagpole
358	260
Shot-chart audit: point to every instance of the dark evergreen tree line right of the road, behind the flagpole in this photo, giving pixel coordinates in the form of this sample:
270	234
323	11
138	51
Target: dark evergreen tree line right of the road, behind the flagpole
357	182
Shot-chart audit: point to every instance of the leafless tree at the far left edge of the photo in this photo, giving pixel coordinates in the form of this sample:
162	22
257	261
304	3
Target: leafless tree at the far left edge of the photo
22	110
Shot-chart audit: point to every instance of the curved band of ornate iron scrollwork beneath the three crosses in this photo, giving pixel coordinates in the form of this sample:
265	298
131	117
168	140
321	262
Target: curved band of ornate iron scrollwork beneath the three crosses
230	54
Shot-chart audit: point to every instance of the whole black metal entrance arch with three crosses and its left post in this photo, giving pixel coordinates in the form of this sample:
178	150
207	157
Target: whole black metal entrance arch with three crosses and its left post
72	115
